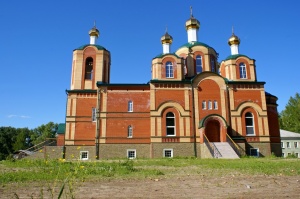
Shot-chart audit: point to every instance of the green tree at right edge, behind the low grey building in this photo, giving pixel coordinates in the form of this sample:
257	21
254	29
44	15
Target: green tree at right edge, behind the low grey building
290	117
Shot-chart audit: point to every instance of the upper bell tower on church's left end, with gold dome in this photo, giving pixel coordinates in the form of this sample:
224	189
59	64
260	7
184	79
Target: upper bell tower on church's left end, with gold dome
91	63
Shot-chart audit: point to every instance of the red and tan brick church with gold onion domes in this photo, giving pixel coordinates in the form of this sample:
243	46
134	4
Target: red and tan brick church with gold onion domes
193	105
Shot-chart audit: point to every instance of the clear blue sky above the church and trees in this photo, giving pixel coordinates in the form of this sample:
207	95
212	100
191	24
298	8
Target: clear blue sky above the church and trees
37	39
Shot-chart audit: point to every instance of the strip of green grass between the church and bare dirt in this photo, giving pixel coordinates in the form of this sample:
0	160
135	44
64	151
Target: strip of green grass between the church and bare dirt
60	170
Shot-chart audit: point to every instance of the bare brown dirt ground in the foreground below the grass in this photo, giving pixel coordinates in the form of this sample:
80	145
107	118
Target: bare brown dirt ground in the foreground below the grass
177	186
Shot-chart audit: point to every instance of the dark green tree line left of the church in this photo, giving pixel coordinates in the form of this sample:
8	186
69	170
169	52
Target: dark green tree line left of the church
14	139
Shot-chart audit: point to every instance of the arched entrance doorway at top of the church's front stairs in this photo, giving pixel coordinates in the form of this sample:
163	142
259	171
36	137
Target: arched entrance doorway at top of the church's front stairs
215	123
